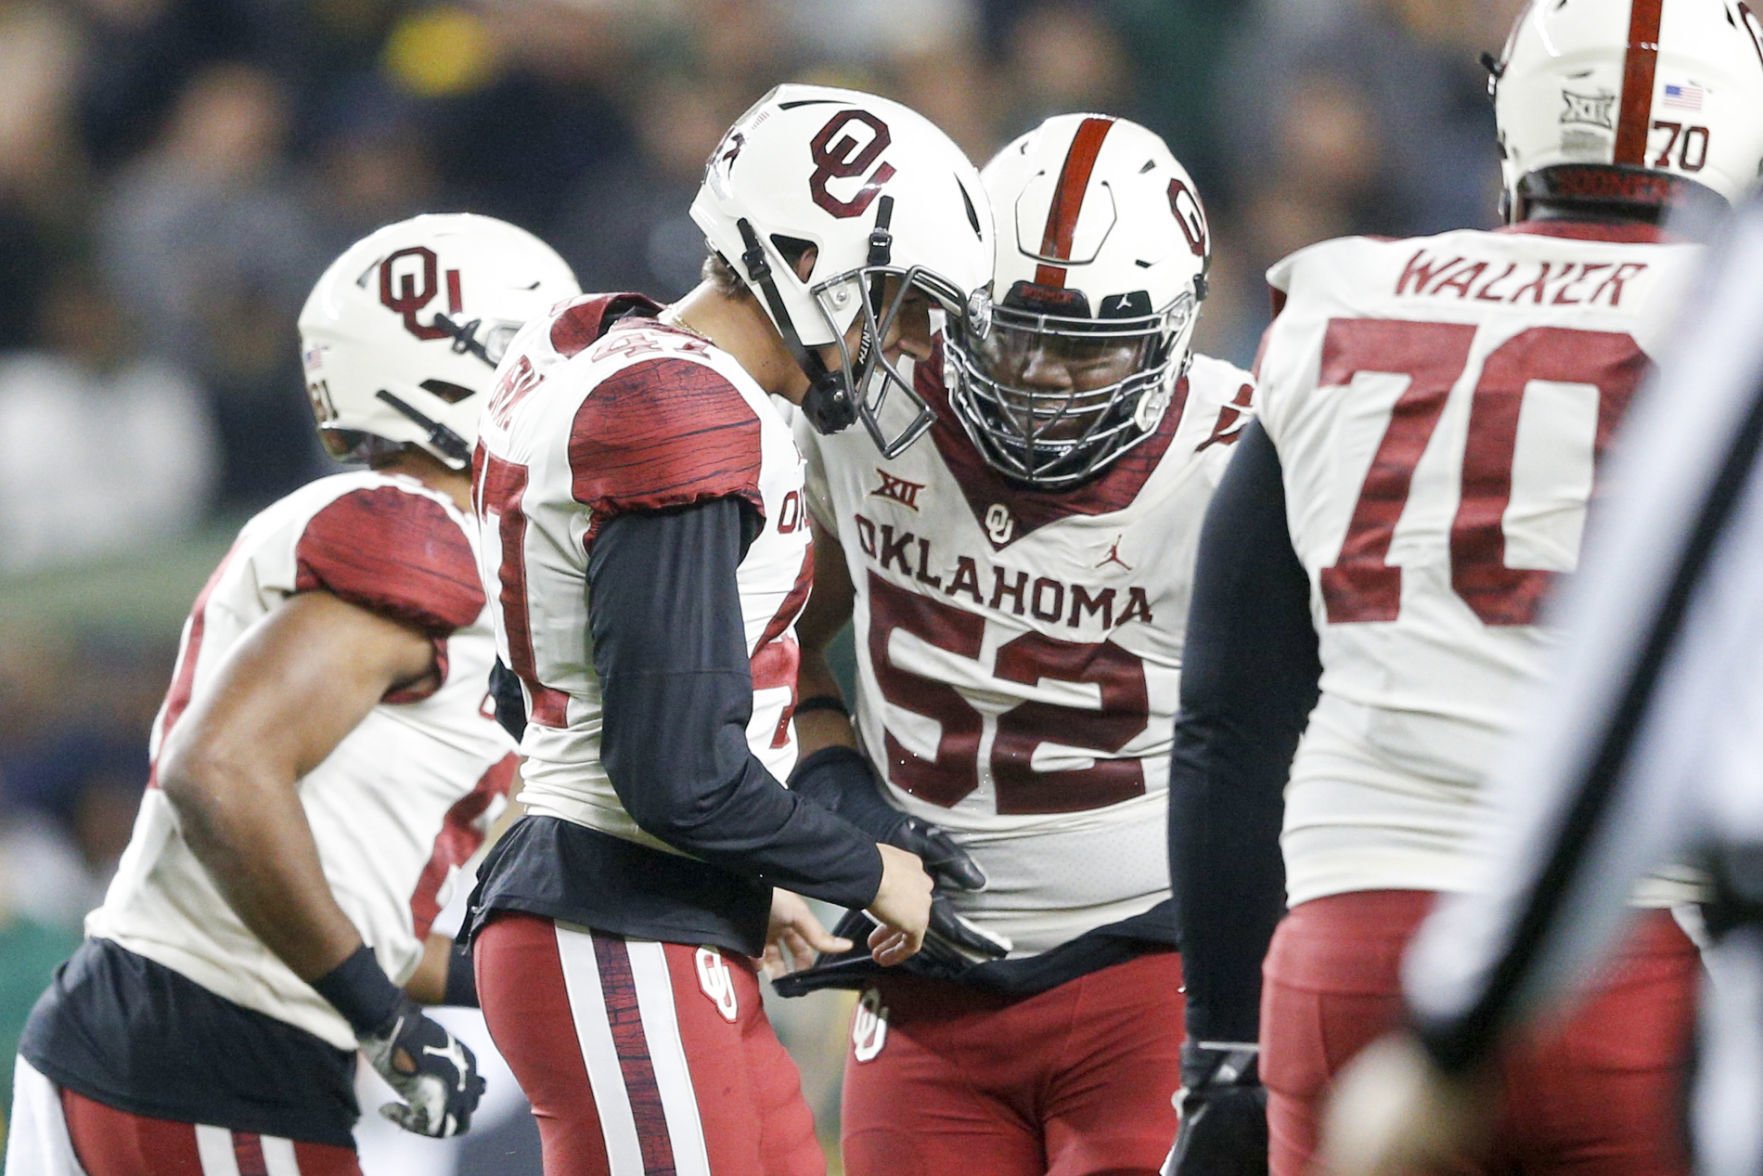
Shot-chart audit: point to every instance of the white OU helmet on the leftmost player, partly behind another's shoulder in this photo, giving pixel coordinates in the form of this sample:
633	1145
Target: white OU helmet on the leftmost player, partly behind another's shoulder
405	331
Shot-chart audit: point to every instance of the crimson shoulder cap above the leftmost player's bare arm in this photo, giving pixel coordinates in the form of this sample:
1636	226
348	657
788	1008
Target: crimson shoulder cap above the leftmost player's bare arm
392	553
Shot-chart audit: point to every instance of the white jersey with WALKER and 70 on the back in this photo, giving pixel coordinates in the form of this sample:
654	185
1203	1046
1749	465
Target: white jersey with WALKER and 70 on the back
1439	406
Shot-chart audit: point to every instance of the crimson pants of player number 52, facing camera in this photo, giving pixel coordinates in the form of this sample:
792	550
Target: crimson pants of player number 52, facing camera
946	1080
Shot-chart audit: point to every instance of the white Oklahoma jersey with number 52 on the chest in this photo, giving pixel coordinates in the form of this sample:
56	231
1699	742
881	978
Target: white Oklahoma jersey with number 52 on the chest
1020	653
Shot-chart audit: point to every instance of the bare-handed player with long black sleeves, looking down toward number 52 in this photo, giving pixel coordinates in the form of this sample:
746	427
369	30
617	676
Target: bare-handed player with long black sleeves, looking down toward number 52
648	546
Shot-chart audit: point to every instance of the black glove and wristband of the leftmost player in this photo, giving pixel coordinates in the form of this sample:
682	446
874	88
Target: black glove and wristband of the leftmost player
431	1069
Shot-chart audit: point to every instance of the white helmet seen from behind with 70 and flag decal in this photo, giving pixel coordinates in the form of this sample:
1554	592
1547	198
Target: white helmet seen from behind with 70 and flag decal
1630	101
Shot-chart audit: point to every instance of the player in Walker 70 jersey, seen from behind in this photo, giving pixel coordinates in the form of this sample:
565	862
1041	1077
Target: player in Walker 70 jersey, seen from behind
1432	417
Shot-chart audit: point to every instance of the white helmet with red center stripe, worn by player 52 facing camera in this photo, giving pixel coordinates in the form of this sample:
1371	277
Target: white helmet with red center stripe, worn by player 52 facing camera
1103	255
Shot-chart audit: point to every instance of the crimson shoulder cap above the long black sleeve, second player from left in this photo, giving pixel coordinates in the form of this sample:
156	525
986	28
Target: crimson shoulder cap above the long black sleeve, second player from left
664	433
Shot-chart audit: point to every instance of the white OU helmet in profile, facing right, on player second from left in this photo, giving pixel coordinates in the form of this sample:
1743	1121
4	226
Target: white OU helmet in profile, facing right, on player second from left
879	193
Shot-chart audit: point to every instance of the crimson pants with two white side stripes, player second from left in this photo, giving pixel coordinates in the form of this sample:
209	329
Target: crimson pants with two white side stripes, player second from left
643	1057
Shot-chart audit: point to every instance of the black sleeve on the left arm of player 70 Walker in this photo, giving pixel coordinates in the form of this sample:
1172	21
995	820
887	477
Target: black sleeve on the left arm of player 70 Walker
1249	681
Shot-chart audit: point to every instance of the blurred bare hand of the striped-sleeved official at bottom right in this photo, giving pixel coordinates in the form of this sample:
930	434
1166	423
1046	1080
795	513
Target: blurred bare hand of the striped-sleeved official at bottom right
1395	1113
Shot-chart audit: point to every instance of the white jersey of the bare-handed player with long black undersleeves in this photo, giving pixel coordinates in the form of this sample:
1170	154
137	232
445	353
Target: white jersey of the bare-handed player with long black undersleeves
584	426
